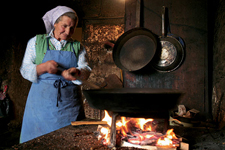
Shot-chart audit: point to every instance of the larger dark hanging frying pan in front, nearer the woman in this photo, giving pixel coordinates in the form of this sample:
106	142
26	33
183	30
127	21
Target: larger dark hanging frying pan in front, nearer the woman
136	47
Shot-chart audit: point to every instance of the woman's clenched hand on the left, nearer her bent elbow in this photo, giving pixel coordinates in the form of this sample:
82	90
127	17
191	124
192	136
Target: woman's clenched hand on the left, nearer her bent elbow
49	66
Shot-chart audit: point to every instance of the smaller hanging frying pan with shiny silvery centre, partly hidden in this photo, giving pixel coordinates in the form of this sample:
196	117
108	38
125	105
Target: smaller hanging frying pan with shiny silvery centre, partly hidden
171	55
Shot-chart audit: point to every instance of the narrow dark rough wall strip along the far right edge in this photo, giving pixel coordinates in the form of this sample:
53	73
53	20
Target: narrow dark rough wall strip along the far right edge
218	98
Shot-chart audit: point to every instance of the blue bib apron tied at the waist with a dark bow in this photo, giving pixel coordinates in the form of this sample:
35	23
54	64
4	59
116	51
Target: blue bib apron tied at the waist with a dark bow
53	102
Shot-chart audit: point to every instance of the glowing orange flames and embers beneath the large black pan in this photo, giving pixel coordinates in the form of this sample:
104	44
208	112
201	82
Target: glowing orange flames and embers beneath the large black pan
138	131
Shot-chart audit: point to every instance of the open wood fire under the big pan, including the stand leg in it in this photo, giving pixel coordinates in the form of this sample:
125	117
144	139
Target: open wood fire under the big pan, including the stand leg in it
137	132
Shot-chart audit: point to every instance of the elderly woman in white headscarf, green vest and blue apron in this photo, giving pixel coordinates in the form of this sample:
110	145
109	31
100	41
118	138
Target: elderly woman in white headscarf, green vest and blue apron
53	100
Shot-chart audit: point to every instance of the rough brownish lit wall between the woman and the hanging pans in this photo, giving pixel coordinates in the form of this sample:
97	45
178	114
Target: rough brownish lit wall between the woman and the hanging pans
100	57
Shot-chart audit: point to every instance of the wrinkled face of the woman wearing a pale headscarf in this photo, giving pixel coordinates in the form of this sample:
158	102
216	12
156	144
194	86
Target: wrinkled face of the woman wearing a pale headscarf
64	28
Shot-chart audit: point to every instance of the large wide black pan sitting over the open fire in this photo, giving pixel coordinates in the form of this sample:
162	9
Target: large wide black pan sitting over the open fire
133	99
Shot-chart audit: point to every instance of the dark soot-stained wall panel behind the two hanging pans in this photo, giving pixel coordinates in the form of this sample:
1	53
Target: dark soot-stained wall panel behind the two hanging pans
189	20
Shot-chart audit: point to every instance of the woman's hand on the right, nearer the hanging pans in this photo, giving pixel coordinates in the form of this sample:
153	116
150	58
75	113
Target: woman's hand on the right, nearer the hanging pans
71	74
